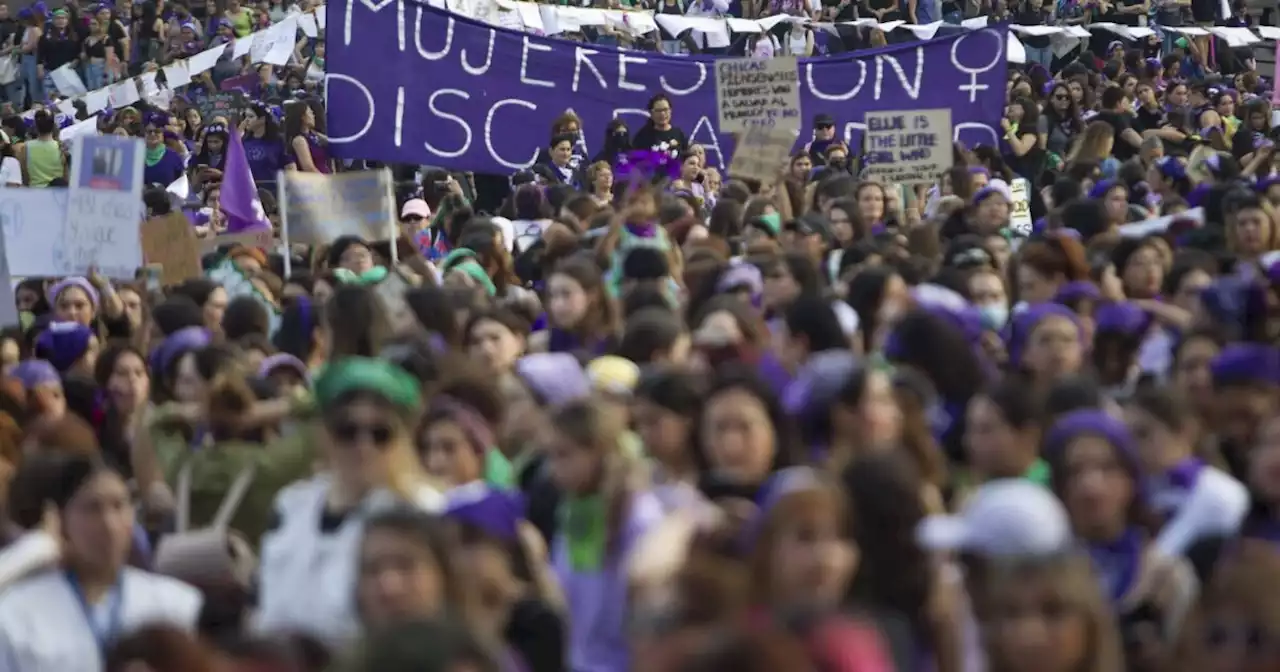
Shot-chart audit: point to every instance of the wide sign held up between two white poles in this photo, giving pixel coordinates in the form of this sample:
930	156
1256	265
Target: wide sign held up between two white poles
322	208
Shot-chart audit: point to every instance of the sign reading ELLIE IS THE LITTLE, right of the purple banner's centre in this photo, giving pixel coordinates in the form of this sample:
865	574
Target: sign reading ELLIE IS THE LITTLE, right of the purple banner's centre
908	148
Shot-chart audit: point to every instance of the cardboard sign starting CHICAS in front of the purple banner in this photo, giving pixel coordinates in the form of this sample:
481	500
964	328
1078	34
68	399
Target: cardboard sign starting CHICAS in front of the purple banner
752	93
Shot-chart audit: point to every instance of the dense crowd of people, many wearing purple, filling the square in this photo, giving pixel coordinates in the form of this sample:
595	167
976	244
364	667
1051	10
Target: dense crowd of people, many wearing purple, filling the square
633	413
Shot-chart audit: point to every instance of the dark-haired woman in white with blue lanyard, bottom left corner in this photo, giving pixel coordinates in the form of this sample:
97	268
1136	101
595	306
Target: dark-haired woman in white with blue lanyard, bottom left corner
93	597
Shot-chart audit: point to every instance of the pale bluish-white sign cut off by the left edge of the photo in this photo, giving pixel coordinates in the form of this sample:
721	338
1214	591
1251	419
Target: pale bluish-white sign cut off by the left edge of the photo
33	225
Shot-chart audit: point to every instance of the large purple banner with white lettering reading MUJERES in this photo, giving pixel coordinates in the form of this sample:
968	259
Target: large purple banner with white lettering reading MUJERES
417	85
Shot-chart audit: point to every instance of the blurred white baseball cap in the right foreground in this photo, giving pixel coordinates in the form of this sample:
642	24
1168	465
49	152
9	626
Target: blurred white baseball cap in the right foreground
1007	518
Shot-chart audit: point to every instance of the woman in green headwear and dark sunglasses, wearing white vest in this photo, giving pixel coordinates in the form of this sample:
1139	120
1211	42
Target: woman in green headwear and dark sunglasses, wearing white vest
309	560
